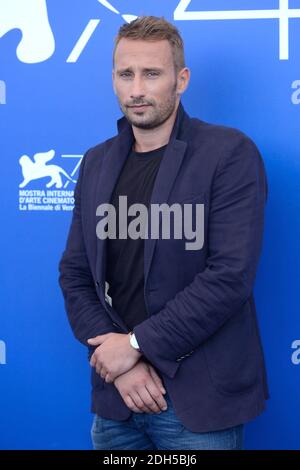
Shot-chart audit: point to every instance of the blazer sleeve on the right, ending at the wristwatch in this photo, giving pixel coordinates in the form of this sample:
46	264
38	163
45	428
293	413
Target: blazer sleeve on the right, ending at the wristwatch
235	230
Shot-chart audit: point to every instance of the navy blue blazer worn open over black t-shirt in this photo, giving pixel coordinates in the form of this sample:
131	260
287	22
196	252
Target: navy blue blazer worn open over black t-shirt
201	333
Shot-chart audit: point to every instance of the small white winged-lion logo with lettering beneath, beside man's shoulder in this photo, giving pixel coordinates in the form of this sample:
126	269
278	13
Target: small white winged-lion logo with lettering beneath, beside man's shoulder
58	199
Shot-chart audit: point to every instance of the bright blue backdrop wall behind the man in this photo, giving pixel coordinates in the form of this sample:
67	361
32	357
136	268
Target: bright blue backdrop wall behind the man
56	100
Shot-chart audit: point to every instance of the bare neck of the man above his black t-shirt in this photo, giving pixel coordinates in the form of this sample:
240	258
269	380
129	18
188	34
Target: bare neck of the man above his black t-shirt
151	139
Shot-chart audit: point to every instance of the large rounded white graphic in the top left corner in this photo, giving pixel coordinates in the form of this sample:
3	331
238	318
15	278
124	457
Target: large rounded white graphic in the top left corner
31	17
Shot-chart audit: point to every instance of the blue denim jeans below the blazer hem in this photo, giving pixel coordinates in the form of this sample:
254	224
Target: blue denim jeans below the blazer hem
145	431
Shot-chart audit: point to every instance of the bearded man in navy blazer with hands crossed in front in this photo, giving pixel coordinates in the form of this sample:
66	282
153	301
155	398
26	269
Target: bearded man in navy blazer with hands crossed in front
170	324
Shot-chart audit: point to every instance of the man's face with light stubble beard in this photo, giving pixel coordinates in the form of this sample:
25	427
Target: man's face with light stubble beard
145	82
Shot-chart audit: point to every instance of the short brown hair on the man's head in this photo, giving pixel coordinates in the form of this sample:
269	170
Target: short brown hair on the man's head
153	28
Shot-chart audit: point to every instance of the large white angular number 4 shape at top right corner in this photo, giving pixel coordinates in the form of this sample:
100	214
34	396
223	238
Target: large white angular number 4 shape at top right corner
283	14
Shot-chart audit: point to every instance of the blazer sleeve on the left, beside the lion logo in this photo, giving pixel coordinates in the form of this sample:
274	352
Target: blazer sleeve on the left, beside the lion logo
86	315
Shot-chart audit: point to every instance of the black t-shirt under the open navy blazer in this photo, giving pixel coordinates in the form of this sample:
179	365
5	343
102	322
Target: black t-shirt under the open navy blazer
125	257
